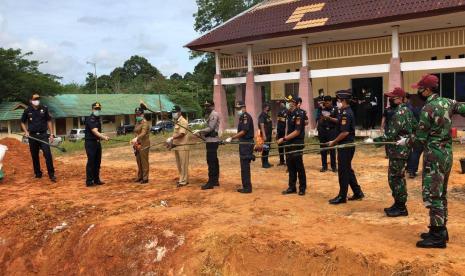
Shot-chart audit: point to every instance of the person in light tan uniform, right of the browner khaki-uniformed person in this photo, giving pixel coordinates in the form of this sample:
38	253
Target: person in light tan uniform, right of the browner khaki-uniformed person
181	150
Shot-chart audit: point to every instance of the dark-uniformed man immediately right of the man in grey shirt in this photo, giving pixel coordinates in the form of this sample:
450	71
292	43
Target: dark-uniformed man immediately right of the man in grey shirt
245	134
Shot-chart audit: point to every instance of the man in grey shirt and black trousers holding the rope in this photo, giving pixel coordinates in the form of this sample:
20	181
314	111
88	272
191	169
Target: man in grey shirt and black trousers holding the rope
210	135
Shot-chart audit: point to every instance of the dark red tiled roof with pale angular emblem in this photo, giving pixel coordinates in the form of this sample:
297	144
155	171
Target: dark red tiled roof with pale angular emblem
307	16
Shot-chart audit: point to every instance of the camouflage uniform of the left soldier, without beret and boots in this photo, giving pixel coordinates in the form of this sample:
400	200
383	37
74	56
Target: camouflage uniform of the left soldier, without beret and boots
401	124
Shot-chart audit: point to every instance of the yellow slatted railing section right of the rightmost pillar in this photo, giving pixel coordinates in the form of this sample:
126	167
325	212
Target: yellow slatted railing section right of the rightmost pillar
431	40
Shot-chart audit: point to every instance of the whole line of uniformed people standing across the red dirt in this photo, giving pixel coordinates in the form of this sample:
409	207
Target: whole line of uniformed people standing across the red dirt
428	131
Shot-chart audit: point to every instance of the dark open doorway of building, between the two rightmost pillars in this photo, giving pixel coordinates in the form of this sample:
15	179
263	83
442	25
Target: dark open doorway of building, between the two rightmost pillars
375	86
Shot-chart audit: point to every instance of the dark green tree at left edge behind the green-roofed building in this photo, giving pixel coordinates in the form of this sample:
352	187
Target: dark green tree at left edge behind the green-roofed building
20	77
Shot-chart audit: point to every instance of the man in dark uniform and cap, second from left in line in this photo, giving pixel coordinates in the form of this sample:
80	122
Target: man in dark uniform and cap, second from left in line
93	147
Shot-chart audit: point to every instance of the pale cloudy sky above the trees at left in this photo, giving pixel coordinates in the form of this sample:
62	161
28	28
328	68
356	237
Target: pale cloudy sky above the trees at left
67	33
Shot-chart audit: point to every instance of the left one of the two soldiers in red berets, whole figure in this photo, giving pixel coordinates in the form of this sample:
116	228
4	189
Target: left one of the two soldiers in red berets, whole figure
401	124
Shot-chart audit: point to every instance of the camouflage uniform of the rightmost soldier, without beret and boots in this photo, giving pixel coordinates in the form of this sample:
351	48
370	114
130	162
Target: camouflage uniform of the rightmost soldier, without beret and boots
434	135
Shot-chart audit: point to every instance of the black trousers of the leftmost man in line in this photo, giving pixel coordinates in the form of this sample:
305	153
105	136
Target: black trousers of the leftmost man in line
35	147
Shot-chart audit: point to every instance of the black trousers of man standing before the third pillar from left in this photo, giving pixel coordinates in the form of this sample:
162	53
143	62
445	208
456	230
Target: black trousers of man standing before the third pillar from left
295	166
